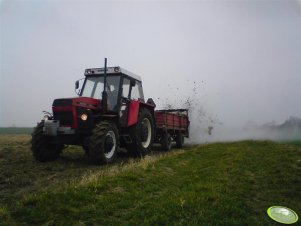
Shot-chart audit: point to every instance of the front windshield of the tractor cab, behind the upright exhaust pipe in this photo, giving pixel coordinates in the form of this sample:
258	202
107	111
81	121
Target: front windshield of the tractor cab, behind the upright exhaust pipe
93	87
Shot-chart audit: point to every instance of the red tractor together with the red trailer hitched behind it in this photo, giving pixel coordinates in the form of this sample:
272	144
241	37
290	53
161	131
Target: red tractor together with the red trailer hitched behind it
109	113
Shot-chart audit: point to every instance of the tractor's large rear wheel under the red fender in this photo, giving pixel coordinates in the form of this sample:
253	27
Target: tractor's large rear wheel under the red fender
142	134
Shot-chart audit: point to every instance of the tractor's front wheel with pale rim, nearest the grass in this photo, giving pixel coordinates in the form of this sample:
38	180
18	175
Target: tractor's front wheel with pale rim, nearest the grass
103	144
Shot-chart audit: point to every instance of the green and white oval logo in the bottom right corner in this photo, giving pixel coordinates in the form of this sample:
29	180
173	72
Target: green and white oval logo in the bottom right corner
282	214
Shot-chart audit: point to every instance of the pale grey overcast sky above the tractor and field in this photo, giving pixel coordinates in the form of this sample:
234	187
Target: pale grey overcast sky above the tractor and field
244	57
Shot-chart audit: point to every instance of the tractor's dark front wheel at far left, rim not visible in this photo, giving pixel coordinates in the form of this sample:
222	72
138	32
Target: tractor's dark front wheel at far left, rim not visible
41	146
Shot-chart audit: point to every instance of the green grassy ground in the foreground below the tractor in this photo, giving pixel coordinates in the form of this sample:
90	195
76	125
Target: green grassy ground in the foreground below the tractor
215	184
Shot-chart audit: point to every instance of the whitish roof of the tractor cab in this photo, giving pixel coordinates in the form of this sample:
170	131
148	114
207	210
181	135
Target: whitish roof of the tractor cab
111	70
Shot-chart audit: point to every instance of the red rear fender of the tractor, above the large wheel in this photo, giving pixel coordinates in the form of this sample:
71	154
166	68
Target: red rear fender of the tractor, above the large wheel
134	107
